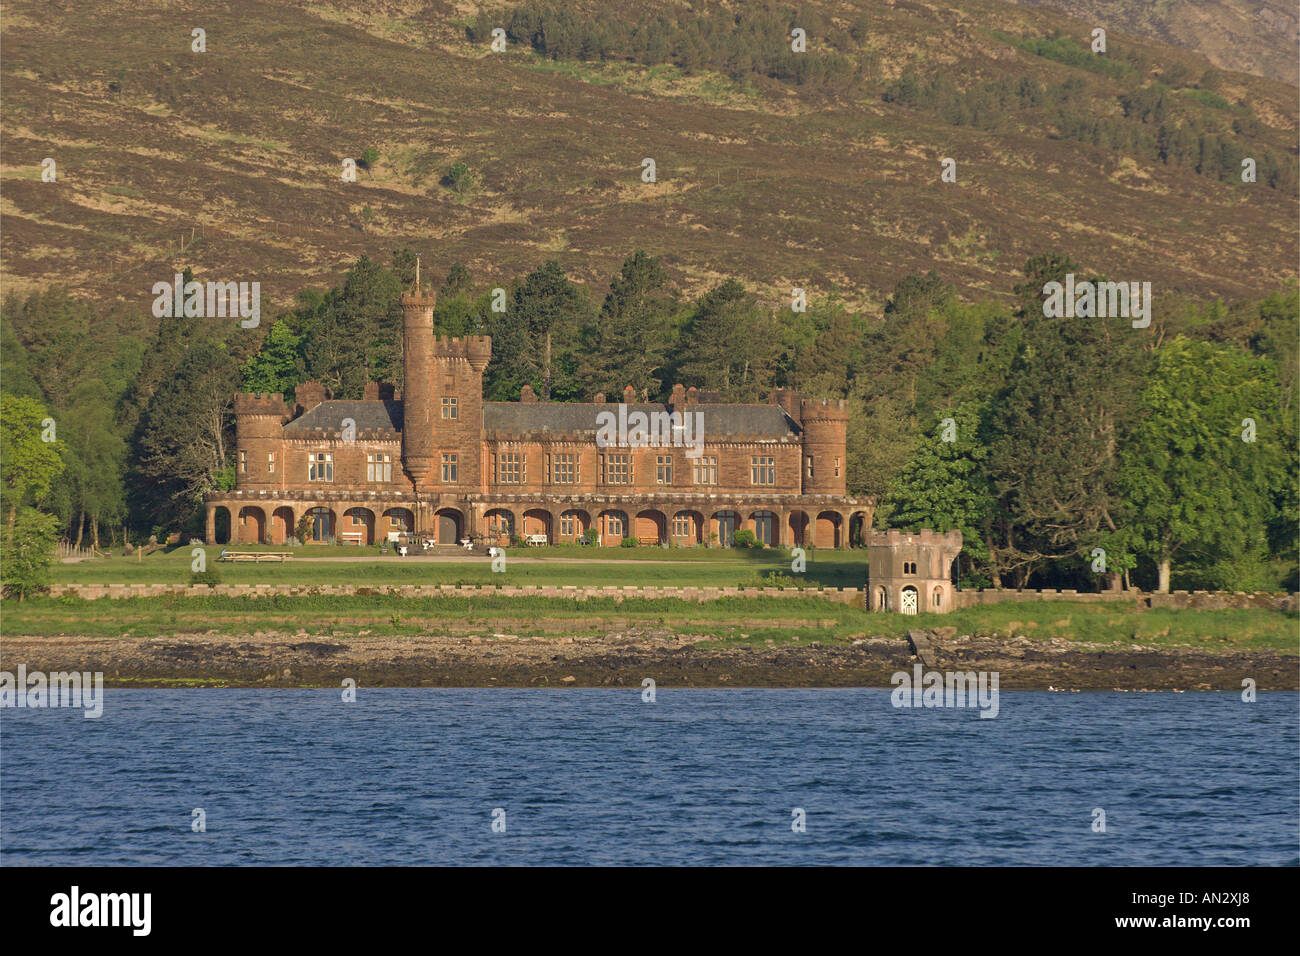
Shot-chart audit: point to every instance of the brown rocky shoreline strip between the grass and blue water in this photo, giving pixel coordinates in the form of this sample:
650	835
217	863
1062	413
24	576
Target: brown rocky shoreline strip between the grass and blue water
623	659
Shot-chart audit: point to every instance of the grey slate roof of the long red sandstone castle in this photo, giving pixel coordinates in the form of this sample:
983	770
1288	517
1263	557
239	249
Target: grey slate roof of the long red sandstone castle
565	418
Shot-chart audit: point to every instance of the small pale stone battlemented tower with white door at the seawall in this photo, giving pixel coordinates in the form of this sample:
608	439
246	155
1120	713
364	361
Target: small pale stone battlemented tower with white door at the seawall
909	572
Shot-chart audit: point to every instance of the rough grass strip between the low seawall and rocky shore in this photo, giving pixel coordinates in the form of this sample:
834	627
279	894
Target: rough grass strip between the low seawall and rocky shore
729	621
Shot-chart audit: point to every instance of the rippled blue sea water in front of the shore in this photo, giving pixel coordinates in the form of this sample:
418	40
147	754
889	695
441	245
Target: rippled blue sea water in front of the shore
697	777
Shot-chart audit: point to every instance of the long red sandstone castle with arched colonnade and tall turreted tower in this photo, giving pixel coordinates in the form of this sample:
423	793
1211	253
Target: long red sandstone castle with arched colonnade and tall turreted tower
441	462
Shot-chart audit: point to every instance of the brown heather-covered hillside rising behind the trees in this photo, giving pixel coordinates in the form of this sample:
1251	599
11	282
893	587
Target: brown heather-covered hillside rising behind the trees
236	154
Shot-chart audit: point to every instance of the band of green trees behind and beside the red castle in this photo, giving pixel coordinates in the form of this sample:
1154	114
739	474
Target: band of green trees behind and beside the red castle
1172	451
